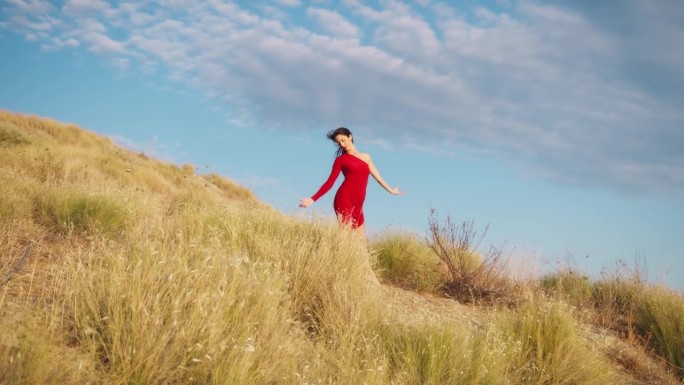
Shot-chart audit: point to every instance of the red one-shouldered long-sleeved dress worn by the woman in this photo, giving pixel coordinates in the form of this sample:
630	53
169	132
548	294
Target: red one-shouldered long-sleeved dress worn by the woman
350	196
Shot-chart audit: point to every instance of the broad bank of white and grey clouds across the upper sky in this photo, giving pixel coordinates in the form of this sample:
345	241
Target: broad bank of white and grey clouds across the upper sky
585	93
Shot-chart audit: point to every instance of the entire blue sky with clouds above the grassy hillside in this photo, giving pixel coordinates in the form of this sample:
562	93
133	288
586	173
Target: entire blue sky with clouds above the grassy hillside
557	126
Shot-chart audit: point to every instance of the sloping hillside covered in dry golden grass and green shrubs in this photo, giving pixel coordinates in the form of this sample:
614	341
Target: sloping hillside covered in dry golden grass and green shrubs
118	268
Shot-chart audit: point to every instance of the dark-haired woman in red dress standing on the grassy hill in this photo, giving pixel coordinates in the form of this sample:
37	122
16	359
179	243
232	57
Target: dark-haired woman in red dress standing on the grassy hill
356	166
